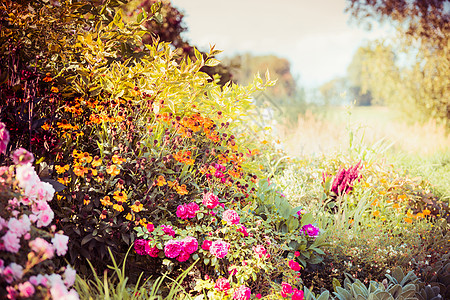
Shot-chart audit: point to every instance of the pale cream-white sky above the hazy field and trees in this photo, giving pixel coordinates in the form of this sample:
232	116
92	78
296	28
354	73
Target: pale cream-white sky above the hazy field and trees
314	35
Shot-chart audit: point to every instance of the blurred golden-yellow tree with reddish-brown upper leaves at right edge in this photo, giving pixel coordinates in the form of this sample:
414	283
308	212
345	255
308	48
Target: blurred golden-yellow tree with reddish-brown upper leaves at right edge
419	86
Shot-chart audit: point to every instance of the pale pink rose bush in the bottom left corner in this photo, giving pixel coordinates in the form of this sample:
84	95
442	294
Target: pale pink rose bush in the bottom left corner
27	246
